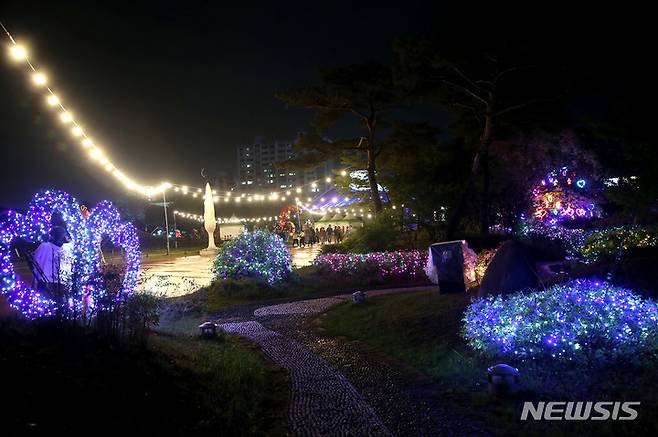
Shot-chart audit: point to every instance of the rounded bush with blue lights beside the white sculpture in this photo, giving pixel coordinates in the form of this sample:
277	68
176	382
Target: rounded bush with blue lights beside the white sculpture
258	255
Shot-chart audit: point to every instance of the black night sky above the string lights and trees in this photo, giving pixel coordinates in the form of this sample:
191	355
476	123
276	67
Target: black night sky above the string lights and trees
160	87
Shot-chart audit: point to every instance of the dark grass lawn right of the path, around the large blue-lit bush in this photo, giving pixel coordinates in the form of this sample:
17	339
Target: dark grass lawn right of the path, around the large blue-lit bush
422	331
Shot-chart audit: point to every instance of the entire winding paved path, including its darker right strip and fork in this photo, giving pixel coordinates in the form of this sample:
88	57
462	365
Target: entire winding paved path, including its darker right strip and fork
363	394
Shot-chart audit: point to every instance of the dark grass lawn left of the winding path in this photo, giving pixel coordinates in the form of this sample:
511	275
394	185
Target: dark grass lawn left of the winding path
59	380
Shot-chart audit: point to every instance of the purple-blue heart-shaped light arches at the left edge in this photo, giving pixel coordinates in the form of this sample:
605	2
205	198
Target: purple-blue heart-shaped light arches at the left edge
34	227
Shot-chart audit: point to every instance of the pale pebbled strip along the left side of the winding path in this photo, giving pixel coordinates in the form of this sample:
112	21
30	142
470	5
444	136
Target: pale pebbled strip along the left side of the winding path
323	401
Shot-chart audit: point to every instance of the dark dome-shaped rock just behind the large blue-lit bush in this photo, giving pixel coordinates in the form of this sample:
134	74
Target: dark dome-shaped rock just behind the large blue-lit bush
512	269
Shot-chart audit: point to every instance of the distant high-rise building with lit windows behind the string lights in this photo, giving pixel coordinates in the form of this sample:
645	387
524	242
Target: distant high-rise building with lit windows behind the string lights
257	170
